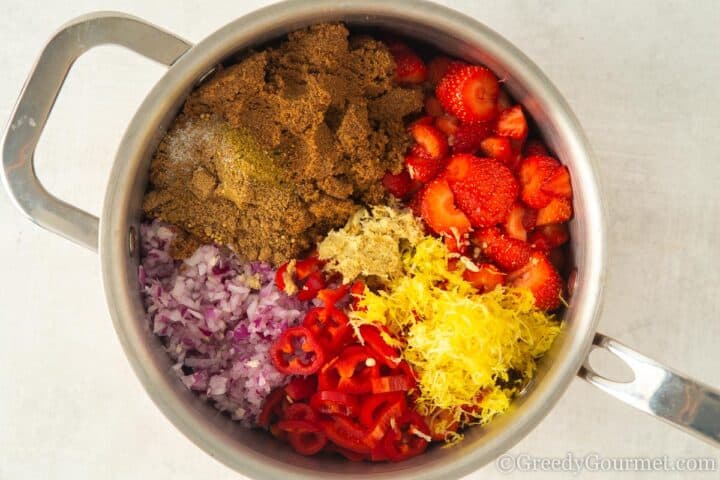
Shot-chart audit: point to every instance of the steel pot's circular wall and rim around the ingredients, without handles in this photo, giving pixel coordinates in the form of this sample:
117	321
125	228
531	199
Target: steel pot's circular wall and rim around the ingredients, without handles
256	453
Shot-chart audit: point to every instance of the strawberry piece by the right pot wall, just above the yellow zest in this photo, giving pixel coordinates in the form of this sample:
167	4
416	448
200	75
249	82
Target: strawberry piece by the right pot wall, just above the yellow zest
541	278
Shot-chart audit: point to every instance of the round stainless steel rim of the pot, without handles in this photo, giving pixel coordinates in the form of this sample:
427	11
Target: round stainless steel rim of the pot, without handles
160	106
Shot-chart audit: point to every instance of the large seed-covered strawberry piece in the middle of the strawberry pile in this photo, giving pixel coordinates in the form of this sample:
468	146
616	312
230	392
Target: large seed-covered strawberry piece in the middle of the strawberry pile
484	188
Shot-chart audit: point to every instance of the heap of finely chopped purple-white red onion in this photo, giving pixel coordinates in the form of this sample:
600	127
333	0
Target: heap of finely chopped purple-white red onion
217	318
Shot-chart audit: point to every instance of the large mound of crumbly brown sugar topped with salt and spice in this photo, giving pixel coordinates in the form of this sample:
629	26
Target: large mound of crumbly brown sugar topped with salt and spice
271	153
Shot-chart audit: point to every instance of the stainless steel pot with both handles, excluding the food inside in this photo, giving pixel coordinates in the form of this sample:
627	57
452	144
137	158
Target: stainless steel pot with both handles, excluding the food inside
656	389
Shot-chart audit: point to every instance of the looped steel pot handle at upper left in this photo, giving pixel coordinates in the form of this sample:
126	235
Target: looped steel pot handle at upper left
36	101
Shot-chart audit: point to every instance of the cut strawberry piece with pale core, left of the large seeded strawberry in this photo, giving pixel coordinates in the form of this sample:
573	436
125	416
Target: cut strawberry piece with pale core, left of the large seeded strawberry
439	211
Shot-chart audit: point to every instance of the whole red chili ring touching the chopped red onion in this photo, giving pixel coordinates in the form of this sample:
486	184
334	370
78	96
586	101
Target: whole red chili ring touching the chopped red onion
297	352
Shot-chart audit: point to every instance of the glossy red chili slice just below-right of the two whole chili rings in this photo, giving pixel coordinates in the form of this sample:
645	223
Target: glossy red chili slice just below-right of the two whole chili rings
350	372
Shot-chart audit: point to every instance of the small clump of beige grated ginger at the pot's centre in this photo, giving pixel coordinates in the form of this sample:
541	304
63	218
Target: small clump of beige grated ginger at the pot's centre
371	243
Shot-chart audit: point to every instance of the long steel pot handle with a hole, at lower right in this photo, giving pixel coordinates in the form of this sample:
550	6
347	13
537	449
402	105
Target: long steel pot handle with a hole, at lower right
660	391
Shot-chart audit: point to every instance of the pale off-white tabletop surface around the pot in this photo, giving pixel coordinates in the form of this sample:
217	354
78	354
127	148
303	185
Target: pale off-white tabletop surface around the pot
641	78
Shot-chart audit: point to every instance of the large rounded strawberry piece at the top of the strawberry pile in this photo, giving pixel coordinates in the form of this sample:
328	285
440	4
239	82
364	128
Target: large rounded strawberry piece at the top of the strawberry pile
469	92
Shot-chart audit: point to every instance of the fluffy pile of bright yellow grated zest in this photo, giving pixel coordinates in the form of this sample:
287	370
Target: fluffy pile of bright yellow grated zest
462	345
